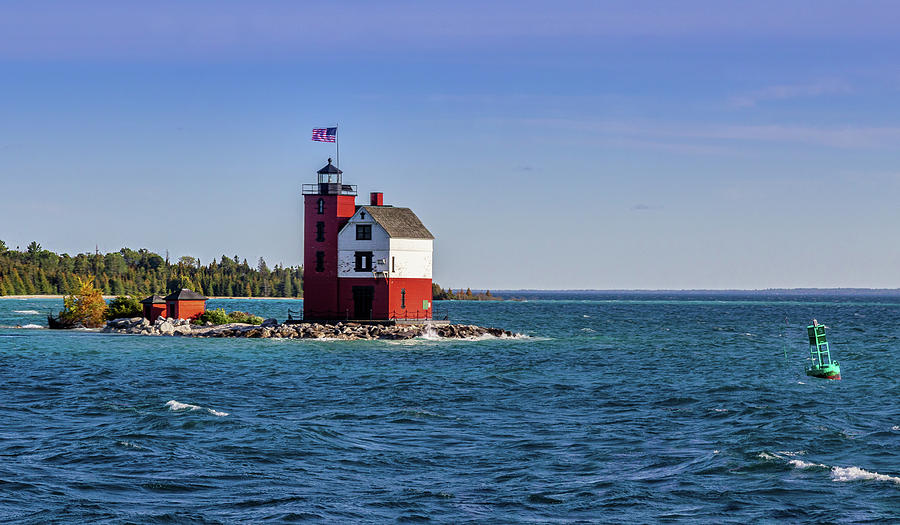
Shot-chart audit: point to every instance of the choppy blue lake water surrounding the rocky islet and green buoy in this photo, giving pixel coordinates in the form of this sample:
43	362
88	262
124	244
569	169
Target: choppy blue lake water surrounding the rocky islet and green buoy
615	408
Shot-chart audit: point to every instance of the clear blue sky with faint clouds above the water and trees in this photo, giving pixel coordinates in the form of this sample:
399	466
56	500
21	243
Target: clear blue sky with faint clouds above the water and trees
603	145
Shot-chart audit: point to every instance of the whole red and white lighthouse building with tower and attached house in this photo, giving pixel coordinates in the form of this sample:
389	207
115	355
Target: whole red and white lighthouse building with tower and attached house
362	262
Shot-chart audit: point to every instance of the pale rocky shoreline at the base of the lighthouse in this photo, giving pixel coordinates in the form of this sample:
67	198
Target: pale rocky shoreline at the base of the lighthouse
271	329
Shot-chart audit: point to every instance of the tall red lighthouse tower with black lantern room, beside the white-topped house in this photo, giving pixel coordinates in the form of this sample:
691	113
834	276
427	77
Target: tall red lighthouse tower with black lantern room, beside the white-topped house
328	205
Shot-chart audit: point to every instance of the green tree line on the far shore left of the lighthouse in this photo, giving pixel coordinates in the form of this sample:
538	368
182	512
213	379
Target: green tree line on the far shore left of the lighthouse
36	271
